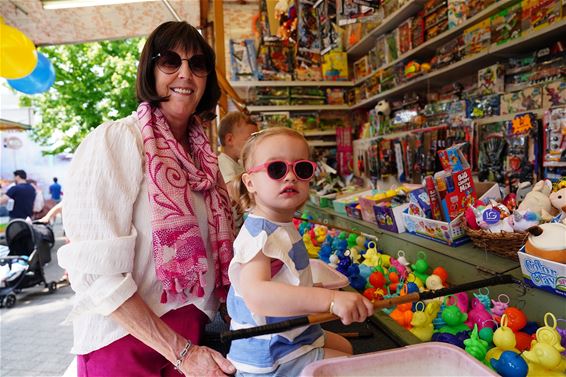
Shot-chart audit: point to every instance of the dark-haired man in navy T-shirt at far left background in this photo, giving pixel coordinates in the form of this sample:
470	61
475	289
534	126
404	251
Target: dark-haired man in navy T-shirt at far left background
20	197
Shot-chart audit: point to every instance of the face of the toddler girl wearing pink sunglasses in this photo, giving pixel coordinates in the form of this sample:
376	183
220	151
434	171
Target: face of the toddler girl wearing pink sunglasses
277	200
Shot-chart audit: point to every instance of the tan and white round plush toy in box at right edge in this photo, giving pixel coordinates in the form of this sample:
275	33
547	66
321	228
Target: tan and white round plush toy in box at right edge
547	241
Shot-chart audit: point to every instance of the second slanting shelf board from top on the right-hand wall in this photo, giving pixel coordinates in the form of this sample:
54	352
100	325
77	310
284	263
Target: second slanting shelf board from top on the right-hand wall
430	46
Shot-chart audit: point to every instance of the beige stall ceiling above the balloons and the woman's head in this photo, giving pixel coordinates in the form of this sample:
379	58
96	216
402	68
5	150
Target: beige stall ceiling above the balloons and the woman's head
87	24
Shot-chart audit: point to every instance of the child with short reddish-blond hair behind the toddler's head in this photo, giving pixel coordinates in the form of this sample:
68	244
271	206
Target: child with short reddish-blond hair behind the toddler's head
235	129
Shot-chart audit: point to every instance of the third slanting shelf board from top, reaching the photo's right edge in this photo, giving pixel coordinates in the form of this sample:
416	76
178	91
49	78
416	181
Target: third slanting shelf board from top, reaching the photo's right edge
471	64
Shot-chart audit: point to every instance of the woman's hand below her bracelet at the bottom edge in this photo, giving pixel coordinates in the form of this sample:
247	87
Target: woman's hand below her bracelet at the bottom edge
203	361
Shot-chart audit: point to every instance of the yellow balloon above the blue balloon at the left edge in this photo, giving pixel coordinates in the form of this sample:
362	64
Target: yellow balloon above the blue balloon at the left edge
18	57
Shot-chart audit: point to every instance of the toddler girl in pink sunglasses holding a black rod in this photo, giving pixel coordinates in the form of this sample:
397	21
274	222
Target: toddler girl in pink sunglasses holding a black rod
270	273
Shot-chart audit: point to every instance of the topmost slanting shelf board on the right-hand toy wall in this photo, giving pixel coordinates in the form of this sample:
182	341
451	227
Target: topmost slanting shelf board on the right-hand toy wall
388	24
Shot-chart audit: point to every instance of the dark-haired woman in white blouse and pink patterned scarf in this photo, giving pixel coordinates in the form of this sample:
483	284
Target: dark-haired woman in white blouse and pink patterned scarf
149	222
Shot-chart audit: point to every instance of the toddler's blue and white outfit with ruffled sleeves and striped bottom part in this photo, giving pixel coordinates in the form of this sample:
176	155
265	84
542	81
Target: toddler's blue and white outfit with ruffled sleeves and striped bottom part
283	244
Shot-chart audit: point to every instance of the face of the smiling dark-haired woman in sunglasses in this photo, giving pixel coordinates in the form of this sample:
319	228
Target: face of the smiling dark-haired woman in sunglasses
183	87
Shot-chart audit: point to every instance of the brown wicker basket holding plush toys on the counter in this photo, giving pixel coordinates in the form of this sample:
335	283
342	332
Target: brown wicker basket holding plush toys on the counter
504	244
